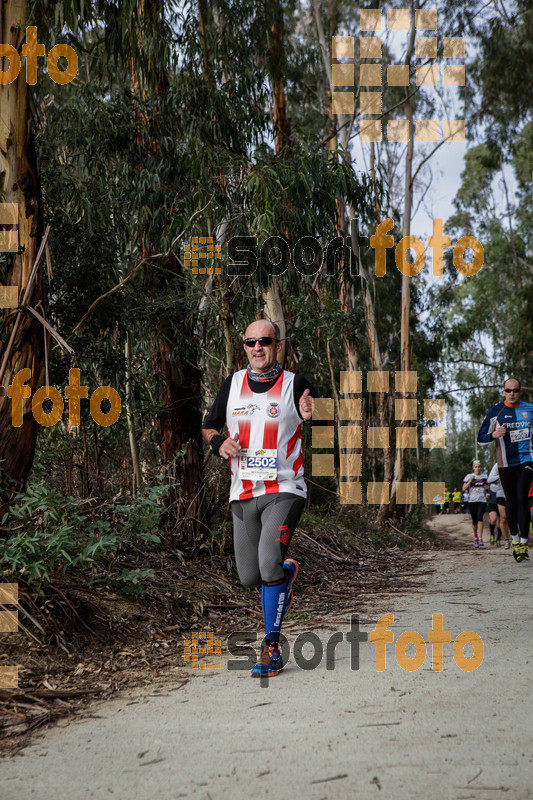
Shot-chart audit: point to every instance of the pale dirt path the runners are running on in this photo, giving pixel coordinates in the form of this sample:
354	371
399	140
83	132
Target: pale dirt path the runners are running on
337	733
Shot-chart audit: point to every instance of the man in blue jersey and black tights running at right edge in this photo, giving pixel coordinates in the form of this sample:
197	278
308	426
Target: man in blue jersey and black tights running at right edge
510	424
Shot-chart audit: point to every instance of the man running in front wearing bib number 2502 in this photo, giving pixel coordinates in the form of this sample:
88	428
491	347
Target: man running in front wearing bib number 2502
264	407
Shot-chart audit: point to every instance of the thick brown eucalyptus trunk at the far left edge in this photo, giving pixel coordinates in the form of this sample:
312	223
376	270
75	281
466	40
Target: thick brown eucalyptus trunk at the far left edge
19	185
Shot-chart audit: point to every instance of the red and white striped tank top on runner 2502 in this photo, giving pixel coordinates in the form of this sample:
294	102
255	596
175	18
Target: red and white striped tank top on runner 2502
269	421
